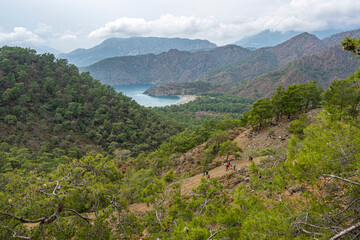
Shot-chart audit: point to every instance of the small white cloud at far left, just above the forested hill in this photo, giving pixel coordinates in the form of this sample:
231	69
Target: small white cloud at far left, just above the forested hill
20	35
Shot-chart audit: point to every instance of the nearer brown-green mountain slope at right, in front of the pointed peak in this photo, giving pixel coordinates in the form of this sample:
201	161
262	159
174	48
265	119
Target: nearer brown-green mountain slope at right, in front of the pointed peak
330	65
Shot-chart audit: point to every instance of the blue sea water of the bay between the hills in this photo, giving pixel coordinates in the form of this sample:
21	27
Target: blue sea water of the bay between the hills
136	92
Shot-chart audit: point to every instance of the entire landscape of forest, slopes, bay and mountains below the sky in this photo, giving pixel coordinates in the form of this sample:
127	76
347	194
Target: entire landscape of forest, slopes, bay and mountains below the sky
81	160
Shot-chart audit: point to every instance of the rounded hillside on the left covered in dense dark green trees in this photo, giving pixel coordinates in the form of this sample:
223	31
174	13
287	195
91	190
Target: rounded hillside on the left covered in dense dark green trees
49	110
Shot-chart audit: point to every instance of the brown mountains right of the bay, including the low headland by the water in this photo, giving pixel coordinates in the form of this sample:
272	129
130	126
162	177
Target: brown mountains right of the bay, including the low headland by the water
298	60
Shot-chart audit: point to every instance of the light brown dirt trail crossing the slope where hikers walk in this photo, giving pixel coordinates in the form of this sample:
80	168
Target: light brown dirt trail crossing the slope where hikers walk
192	182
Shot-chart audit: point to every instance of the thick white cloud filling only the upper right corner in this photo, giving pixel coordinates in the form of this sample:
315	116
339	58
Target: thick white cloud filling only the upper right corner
311	15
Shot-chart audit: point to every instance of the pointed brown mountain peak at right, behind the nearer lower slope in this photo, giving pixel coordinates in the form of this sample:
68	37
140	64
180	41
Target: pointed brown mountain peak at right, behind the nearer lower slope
266	59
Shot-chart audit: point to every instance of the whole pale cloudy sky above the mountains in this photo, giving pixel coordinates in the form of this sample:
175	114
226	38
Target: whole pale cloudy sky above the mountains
69	24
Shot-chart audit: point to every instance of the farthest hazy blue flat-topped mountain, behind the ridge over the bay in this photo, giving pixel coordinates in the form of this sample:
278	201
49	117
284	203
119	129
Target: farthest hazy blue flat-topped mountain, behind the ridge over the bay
115	47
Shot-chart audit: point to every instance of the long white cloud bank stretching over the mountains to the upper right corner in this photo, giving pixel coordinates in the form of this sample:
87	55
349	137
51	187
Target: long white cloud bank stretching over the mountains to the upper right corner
296	15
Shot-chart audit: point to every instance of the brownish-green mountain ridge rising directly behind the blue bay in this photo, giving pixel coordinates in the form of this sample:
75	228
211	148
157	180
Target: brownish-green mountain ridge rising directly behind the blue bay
171	66
